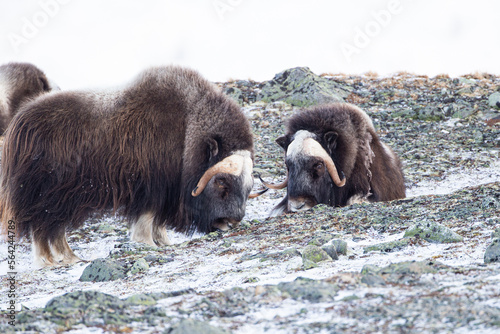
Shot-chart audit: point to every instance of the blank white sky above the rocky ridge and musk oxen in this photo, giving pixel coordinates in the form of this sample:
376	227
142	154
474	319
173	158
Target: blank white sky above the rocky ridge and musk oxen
91	43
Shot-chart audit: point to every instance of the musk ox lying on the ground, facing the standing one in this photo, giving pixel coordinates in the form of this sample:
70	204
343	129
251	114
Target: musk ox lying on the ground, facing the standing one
334	156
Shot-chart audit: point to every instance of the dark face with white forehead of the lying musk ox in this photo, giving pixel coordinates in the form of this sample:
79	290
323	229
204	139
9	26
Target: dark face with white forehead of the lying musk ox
312	174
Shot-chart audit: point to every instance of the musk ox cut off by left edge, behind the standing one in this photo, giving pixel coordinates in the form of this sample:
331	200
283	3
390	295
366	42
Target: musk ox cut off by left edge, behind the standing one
20	83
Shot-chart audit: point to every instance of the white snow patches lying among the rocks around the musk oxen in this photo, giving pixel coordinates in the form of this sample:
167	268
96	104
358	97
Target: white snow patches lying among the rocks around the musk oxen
203	271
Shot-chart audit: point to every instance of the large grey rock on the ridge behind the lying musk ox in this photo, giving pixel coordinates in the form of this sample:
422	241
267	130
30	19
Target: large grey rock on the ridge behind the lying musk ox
301	87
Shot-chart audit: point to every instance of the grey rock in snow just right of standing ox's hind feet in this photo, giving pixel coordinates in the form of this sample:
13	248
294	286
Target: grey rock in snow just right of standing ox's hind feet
103	270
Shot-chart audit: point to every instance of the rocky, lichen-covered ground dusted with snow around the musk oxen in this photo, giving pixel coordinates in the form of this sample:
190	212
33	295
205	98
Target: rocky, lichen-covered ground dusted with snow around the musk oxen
427	263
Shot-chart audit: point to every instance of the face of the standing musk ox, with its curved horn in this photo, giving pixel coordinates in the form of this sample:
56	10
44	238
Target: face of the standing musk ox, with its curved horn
220	195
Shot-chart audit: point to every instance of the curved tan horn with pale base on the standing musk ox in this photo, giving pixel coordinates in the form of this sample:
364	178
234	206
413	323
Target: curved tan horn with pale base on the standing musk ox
233	164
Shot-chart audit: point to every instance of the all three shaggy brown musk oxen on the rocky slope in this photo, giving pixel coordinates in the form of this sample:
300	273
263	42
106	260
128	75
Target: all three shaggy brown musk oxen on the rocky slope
167	151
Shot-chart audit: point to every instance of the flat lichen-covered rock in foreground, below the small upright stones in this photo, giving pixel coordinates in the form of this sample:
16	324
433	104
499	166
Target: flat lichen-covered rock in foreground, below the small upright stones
314	291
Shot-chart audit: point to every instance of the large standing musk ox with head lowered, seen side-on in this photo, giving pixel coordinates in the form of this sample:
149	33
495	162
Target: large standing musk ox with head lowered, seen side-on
169	150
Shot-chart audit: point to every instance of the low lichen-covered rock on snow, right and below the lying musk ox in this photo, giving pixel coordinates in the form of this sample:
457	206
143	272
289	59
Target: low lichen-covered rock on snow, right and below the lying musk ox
433	232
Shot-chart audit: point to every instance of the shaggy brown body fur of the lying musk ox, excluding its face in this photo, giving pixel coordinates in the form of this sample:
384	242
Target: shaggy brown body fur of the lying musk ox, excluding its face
372	170
